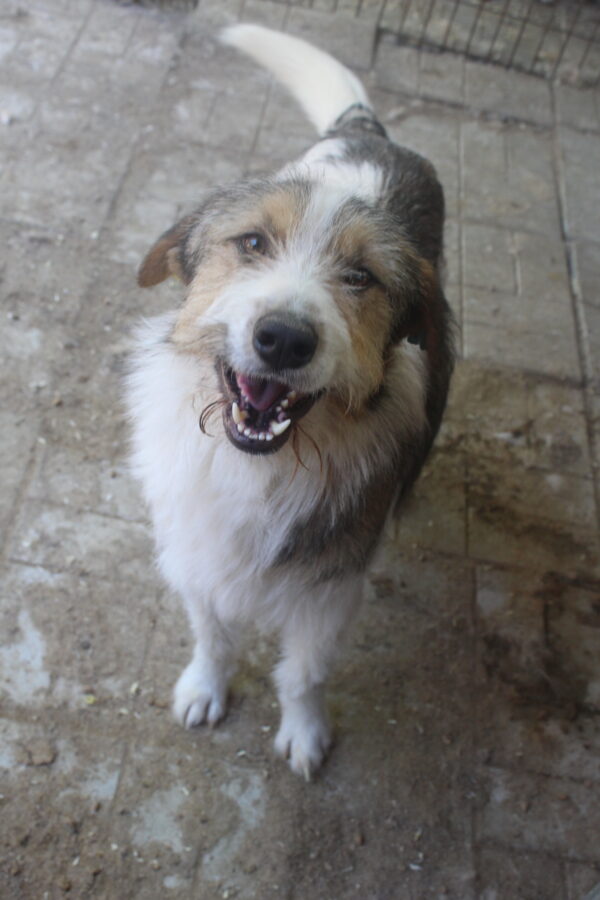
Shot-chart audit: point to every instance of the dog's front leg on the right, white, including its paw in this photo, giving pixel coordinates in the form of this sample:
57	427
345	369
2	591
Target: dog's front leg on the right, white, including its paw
310	638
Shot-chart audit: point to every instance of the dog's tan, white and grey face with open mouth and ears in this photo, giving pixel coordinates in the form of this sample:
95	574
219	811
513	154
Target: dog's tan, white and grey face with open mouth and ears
295	290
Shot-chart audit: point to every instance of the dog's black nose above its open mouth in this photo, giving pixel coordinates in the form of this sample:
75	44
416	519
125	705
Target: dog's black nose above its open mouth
284	342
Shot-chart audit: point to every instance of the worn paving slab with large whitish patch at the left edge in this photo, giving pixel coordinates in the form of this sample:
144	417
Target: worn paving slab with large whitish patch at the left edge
58	661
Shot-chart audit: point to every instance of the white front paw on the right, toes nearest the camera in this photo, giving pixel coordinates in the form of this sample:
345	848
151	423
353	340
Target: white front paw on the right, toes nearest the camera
303	738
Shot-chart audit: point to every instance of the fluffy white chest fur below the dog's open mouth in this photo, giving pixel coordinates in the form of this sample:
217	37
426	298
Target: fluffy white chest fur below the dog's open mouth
217	517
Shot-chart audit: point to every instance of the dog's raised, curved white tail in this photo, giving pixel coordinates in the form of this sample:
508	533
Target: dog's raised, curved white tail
324	87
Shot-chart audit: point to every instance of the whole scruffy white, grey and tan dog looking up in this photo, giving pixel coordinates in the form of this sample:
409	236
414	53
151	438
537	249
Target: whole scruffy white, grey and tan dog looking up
315	329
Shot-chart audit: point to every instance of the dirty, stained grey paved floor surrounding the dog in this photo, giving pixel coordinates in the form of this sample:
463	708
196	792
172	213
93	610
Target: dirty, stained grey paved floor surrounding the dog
467	707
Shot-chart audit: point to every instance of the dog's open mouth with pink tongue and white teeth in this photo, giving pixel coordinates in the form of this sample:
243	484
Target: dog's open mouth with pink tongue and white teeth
261	413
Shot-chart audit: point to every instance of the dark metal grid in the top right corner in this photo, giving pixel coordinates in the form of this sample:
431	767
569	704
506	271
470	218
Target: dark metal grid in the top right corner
553	39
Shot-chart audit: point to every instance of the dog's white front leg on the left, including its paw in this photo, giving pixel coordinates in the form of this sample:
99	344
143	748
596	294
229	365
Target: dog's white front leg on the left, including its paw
200	694
